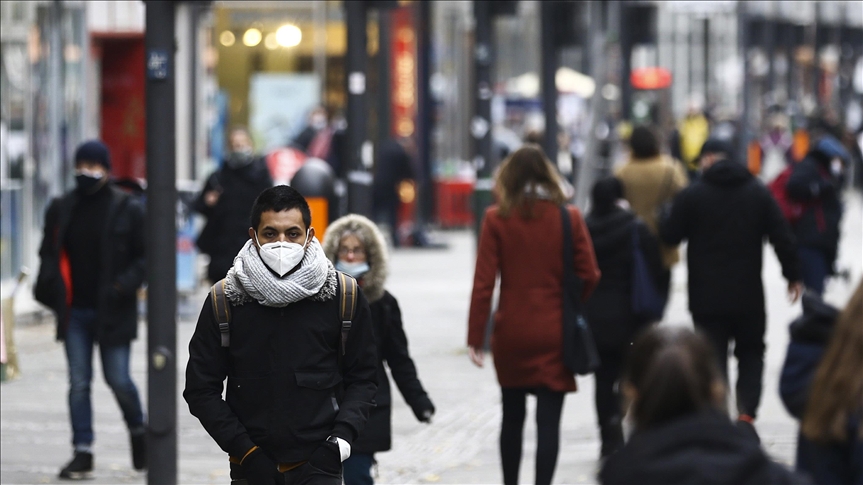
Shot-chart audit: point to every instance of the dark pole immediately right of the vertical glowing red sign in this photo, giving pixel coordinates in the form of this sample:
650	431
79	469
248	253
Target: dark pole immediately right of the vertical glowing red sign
425	113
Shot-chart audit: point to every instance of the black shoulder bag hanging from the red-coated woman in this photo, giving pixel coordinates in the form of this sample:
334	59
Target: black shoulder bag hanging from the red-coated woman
579	349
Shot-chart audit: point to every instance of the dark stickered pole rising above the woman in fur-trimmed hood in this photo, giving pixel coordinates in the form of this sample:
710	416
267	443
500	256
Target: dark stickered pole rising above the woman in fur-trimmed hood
359	147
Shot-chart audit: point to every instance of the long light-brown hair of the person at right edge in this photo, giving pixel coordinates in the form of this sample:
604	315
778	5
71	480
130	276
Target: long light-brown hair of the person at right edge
837	388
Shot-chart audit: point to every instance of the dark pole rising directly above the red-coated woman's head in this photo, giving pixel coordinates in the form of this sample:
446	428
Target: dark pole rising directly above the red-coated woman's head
549	68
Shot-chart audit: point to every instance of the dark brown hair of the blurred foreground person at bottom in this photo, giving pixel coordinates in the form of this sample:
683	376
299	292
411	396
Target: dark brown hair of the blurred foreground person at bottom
674	373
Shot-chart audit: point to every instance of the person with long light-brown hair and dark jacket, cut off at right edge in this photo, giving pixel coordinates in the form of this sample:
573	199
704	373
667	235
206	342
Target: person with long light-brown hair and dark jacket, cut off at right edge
821	385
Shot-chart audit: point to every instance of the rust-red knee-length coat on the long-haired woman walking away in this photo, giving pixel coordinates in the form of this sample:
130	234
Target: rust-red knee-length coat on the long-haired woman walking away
526	253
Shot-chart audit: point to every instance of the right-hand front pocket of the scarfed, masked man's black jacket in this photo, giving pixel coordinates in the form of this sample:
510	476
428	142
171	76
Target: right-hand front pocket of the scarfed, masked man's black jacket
315	407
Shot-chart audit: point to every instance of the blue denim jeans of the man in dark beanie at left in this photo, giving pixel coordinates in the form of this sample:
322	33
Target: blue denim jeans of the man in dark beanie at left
80	339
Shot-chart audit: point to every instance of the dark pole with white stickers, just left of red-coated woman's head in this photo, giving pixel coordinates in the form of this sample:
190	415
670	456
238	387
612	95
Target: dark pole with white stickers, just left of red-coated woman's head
481	122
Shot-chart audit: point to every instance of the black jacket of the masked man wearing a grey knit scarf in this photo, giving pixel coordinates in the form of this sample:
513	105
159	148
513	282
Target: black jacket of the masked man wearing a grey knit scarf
285	390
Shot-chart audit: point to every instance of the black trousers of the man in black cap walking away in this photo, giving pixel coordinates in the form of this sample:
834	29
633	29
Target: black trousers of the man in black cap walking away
747	332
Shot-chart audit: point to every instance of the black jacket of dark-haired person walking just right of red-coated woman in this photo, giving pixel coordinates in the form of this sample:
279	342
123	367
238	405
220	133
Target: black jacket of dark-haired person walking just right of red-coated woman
609	309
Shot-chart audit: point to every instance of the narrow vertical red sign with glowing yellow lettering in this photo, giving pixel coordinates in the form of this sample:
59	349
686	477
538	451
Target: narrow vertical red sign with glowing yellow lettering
404	72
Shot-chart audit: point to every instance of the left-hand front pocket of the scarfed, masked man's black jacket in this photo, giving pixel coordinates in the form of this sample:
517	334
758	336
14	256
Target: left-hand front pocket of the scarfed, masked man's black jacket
250	399
